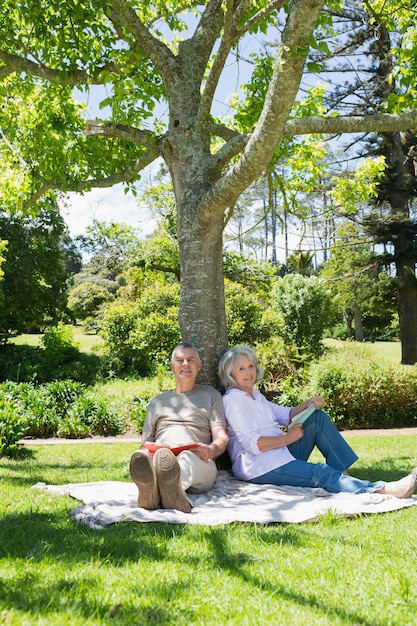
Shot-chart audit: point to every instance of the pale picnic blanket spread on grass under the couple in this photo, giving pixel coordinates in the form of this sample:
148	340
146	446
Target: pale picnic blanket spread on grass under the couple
230	500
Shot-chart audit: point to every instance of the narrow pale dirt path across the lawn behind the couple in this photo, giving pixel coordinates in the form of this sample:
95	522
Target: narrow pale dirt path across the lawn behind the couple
130	437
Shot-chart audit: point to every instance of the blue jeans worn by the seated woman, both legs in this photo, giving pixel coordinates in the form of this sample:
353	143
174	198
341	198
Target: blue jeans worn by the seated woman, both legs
320	432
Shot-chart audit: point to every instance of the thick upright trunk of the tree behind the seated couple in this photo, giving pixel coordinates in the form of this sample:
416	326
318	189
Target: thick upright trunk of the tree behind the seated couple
202	316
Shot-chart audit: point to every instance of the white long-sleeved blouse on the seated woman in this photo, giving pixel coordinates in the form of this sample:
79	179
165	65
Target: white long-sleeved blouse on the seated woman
248	419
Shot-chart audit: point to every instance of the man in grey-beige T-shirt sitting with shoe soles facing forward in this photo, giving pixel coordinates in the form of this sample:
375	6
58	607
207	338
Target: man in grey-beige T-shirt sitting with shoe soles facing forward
191	416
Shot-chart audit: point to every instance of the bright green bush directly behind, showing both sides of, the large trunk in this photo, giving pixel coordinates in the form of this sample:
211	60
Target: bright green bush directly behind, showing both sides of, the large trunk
139	336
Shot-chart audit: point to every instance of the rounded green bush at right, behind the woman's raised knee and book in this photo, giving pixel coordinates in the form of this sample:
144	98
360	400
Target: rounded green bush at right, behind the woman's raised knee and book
360	390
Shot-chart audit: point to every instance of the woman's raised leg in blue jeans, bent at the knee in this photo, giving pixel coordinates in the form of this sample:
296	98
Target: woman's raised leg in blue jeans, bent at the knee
320	432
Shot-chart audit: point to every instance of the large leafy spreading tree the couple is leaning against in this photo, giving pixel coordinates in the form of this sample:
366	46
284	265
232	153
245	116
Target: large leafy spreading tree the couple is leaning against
141	53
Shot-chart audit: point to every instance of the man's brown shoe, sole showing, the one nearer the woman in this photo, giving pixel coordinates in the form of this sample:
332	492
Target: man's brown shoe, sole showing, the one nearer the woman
168	474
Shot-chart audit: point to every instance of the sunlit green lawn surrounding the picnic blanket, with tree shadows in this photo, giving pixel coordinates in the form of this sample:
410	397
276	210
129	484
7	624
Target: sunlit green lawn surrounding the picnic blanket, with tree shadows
356	571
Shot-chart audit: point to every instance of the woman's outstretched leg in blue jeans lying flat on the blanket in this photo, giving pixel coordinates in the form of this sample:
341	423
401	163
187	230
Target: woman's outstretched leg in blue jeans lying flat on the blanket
303	474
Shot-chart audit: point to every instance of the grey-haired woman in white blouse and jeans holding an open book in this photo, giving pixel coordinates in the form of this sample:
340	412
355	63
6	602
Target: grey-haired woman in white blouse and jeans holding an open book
262	453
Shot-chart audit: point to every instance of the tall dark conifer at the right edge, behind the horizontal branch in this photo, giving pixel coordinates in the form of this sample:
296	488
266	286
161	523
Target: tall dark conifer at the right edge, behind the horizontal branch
382	78
